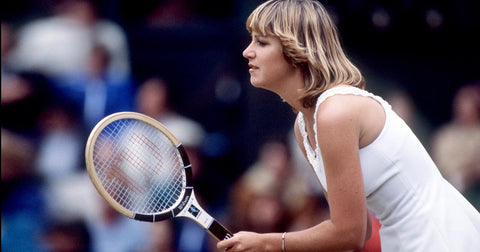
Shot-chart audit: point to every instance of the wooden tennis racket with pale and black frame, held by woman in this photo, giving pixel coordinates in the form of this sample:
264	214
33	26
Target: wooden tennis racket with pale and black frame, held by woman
143	171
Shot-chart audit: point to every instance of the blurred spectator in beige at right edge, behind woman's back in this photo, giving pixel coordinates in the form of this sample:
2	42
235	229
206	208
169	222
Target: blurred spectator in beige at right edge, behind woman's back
456	145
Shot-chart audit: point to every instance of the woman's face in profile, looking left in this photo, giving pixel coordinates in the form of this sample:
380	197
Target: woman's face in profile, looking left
268	67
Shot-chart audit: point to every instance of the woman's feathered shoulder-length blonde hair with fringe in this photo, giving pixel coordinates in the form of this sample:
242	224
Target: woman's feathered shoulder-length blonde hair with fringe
310	41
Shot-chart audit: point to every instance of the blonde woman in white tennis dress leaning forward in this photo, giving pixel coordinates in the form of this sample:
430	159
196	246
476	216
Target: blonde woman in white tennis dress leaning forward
364	155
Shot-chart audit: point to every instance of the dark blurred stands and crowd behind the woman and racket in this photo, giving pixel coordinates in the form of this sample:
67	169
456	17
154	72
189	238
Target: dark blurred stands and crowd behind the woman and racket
68	63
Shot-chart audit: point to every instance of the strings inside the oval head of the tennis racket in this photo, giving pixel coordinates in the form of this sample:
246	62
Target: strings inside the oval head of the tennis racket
138	166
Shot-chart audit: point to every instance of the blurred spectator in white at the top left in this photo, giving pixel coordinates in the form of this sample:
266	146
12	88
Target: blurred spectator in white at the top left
60	44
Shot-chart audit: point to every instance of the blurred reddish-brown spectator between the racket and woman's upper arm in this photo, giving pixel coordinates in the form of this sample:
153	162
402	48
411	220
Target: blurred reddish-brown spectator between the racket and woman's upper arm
269	192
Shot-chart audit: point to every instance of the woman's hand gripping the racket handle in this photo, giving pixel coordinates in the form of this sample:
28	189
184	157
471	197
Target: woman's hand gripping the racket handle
242	242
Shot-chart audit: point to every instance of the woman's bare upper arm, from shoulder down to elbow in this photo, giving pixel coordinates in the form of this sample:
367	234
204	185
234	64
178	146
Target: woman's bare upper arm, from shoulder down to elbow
338	134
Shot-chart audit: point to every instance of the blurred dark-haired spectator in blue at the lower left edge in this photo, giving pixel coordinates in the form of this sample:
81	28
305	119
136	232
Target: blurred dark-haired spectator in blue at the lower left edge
23	212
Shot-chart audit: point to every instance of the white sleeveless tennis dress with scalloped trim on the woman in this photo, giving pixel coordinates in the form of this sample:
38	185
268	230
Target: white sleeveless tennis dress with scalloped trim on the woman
417	208
